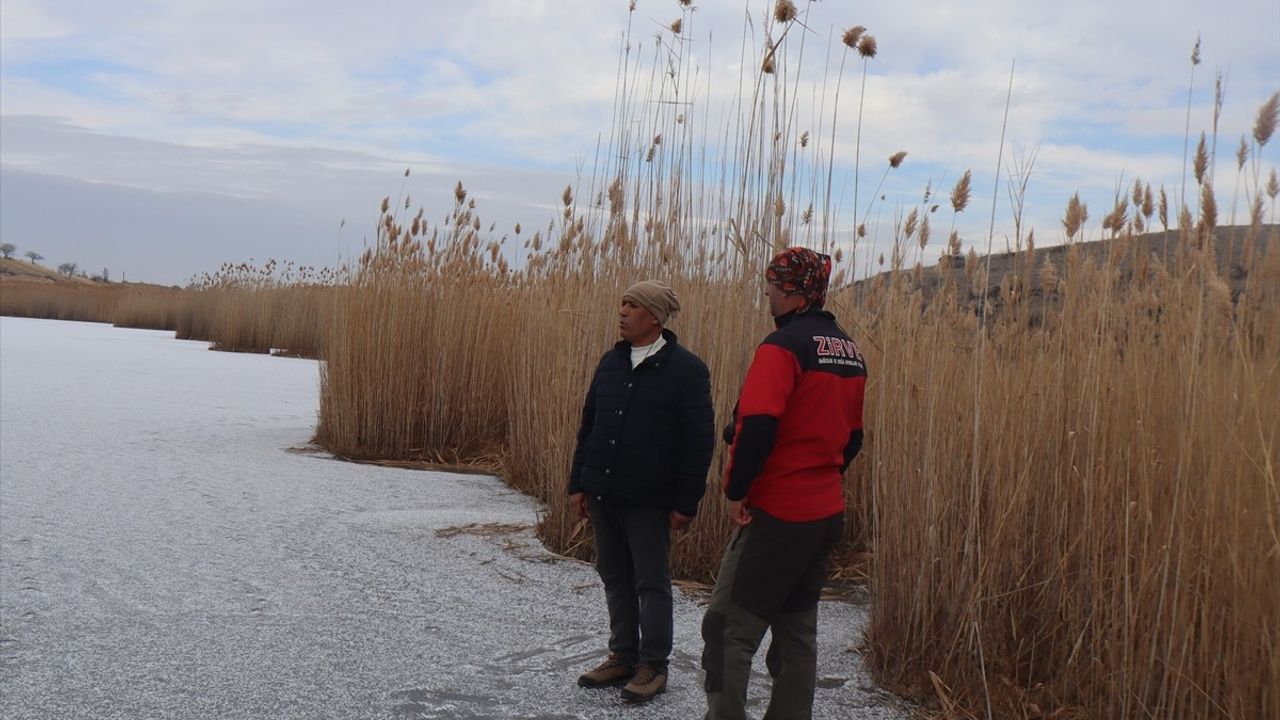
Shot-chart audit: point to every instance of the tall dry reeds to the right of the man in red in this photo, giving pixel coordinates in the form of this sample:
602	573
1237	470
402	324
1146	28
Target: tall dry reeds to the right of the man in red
1084	514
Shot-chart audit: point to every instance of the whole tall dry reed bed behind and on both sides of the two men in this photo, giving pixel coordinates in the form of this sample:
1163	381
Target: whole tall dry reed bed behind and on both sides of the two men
1072	504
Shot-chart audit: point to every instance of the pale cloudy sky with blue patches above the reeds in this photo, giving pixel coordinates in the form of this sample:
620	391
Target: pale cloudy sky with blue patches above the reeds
161	139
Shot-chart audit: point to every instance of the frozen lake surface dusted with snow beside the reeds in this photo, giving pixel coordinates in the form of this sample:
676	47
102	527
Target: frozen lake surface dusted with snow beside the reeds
163	554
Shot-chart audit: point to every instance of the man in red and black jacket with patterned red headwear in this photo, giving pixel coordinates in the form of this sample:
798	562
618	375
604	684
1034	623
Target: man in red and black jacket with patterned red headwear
797	429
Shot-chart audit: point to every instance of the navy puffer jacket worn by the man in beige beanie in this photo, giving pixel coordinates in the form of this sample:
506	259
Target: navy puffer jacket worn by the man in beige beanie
648	434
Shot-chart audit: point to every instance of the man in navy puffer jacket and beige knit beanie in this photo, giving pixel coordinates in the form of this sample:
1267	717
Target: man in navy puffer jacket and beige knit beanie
639	472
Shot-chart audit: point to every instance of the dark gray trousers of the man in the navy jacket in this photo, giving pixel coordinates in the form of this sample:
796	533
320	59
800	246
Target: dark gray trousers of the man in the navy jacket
633	557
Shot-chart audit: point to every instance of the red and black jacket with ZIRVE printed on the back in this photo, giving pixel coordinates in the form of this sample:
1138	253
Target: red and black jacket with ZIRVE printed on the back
799	420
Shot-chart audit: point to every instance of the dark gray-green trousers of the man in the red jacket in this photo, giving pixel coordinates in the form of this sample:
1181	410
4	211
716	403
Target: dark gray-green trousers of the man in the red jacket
770	580
